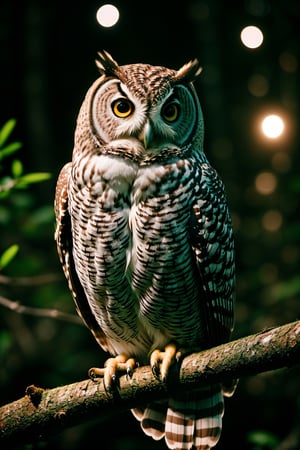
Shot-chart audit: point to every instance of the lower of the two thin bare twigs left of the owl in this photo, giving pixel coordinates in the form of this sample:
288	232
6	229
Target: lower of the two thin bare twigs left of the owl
17	307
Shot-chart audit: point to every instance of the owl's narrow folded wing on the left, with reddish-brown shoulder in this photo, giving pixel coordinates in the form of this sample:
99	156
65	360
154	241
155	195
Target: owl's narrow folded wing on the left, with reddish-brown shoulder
63	237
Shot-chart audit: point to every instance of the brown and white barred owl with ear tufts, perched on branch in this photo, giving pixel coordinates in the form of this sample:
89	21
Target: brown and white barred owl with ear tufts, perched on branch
145	239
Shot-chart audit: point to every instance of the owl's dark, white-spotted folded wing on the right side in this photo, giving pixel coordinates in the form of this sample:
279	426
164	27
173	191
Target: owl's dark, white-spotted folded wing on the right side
212	241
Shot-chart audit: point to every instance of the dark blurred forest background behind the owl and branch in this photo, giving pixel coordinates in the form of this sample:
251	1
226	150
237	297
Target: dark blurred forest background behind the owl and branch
47	53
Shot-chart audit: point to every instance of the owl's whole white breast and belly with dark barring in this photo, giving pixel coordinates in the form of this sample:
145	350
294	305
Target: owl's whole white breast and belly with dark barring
132	250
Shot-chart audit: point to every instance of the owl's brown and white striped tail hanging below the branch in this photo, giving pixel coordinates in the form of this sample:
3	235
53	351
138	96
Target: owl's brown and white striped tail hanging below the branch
190	421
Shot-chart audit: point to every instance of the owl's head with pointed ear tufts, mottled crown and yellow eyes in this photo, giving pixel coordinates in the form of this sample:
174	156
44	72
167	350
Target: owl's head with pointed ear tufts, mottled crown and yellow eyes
152	104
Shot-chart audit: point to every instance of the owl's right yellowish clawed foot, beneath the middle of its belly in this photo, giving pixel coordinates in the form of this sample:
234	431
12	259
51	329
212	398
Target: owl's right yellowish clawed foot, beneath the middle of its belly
161	362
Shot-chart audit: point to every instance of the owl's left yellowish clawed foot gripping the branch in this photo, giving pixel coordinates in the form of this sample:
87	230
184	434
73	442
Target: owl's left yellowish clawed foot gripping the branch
119	364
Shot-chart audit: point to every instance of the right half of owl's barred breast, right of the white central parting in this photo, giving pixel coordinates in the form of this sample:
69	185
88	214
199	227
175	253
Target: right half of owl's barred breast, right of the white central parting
164	274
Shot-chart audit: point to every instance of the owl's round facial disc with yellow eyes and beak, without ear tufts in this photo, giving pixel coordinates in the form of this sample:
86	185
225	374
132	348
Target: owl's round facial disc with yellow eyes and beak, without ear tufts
157	119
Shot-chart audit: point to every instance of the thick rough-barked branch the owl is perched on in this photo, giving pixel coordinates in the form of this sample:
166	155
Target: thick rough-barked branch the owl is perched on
43	412
